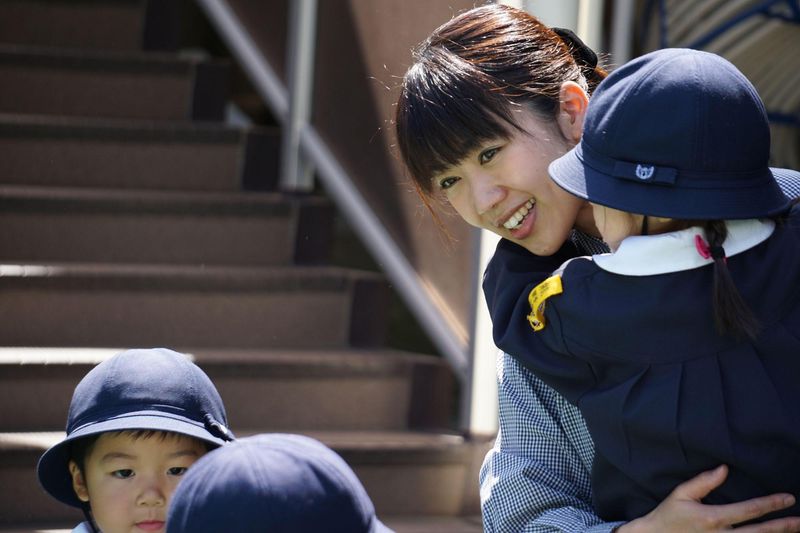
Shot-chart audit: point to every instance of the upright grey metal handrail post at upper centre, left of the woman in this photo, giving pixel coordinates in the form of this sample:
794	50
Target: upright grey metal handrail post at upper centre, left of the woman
296	169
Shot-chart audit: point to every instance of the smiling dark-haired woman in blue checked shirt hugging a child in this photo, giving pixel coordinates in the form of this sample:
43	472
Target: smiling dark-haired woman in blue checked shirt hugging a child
492	98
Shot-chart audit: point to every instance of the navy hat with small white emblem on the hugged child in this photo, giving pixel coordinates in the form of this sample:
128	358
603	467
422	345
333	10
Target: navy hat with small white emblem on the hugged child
676	133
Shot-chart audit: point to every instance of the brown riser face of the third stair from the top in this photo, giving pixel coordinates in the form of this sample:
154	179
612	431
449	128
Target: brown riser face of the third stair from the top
134	163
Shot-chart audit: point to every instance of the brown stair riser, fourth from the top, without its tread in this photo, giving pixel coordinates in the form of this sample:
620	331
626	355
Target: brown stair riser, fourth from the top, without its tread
67	236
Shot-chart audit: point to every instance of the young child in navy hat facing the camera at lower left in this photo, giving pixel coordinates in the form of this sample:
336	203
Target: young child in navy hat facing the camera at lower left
136	422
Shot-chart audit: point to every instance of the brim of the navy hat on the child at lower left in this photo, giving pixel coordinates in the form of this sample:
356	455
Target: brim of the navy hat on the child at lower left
53	467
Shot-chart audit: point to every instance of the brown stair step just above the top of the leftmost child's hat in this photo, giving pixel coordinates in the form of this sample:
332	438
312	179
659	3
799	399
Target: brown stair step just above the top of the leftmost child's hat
167	305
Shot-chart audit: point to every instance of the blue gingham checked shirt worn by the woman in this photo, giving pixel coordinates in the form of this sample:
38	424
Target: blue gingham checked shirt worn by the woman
537	477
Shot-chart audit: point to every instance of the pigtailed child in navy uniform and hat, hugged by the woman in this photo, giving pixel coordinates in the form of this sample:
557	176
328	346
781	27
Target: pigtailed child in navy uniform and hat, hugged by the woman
681	347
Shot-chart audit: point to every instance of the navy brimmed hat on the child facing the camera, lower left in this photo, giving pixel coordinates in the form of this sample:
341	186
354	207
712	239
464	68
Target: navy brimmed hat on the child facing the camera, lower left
152	389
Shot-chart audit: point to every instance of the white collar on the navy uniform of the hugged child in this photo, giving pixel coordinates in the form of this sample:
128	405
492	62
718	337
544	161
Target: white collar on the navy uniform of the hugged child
676	251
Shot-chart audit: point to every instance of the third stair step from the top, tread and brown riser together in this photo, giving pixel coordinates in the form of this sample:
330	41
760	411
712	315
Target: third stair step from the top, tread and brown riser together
76	152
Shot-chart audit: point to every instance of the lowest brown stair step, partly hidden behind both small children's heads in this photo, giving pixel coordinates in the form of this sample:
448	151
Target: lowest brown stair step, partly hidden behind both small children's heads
406	474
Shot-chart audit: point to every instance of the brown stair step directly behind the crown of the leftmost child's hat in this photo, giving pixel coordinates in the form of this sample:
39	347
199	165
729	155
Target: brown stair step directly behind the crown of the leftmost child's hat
296	389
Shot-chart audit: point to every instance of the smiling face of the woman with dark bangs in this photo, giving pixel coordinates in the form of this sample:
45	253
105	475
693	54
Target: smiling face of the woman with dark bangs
504	187
